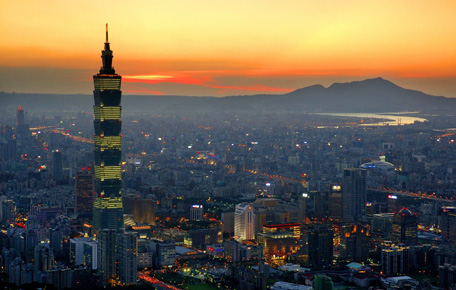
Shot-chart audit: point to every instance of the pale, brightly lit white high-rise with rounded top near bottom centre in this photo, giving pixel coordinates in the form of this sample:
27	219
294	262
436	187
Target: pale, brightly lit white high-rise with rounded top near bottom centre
244	222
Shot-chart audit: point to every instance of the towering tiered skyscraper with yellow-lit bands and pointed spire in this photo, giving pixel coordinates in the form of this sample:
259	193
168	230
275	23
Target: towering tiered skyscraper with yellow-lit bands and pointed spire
108	210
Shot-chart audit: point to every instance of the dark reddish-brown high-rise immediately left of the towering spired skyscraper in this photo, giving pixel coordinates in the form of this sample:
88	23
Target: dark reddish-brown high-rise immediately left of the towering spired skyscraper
83	193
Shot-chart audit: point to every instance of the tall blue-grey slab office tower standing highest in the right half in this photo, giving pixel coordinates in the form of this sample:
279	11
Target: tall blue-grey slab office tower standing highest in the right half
354	195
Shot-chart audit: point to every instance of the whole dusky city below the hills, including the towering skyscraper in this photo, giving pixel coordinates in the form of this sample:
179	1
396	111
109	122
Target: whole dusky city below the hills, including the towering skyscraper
224	201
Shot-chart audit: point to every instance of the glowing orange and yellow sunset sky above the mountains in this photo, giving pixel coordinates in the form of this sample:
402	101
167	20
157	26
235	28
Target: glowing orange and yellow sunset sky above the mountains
196	47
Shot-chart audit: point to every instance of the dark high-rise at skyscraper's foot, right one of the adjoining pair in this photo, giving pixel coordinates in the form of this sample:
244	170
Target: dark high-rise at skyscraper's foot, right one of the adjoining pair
127	250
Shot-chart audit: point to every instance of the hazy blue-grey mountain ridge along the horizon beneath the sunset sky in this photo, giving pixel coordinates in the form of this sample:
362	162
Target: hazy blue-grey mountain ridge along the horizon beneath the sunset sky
367	96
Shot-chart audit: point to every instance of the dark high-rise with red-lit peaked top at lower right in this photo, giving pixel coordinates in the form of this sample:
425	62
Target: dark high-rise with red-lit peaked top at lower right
405	227
